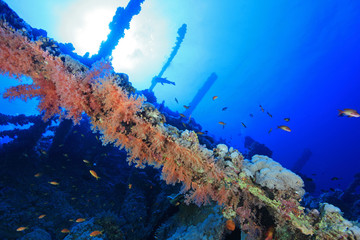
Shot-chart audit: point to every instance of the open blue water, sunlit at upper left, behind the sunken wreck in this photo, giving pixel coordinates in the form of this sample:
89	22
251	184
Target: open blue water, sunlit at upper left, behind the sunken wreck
298	60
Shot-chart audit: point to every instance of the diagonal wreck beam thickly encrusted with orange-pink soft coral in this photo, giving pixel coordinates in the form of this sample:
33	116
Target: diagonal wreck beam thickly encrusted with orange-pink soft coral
207	175
